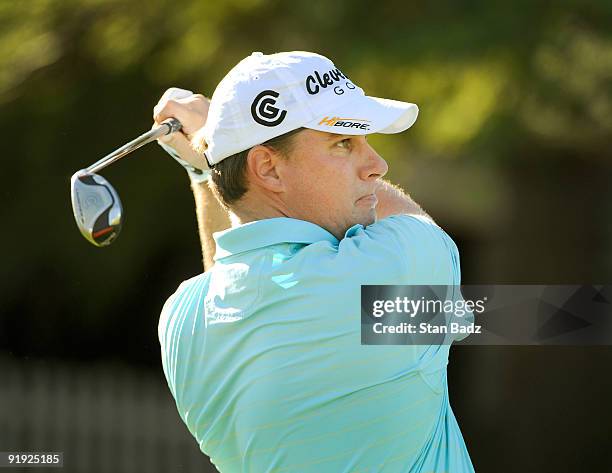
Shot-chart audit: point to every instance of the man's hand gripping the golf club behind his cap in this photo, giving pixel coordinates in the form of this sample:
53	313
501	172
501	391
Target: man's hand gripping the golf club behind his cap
191	110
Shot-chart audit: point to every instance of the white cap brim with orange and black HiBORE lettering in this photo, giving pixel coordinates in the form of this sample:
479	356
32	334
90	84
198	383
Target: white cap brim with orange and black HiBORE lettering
367	115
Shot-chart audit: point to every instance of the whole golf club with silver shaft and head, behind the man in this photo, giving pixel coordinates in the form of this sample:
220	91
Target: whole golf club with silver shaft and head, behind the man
95	204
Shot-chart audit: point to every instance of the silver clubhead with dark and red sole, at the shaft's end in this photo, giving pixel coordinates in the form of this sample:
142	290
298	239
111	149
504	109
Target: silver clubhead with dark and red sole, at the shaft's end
96	208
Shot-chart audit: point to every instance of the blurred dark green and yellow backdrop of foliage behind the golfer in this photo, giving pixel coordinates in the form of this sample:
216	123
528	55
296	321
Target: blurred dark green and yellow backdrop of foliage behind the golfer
510	154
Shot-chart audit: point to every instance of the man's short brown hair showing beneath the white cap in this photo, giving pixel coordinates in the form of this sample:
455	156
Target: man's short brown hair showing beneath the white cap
229	178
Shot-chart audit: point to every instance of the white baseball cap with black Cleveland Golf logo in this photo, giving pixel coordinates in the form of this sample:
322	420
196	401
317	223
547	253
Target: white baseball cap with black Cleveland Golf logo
265	96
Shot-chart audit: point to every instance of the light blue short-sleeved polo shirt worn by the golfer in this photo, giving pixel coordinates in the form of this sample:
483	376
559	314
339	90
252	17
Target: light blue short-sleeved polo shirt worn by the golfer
263	352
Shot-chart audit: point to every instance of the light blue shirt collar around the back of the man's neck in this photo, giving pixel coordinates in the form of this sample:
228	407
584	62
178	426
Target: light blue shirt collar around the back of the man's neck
272	231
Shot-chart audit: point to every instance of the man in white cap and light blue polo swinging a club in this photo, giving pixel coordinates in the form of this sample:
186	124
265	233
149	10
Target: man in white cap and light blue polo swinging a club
263	352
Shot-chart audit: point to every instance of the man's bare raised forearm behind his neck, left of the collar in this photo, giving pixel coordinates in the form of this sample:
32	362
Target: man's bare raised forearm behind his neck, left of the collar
211	218
